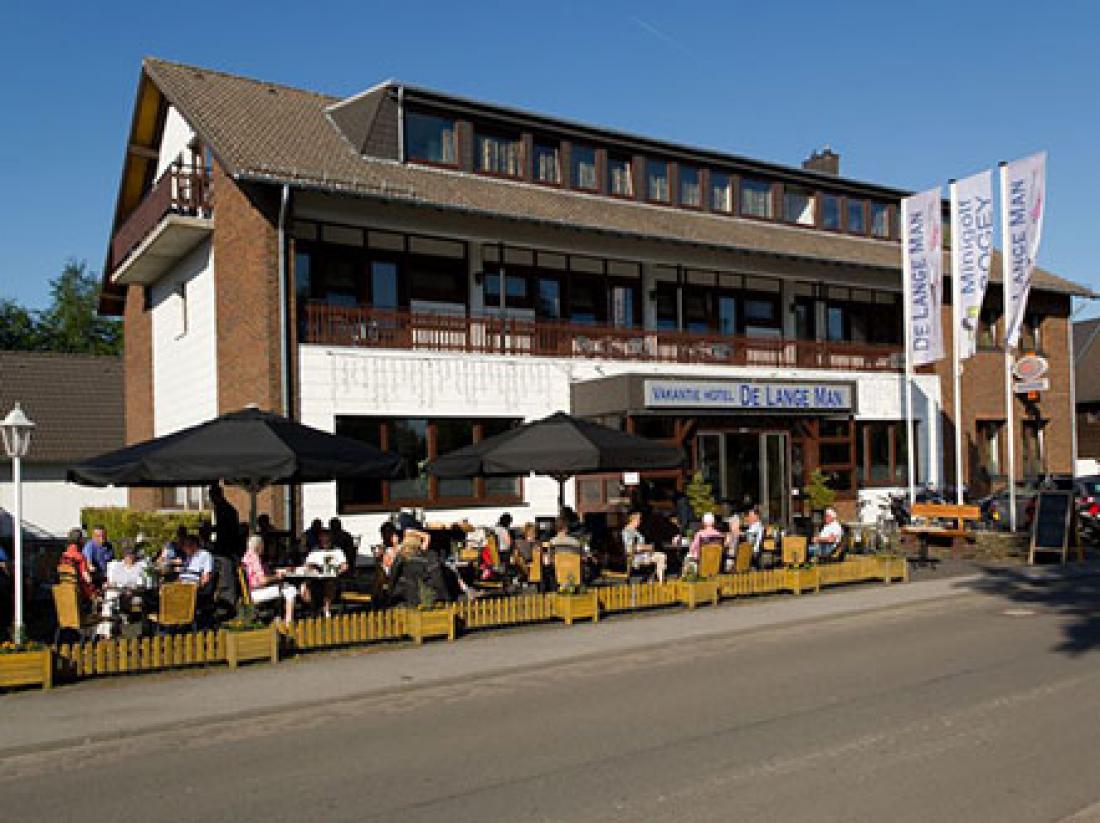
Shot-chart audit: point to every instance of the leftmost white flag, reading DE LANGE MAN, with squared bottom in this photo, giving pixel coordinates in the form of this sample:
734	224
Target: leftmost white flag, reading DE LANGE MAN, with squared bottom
922	276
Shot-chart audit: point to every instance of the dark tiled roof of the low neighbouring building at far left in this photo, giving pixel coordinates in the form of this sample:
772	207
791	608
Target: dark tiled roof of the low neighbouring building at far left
75	401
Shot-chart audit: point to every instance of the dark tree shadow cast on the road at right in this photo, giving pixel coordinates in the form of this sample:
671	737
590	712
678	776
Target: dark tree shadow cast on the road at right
1073	597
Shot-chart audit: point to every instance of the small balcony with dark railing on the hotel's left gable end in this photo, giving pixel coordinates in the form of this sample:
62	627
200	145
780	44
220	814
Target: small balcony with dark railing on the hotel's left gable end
173	218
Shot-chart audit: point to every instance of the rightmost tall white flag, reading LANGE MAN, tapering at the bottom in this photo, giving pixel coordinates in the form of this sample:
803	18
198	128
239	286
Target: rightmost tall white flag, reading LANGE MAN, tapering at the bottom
1024	193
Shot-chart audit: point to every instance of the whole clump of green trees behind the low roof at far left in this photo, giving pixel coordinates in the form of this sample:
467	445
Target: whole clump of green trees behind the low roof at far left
70	325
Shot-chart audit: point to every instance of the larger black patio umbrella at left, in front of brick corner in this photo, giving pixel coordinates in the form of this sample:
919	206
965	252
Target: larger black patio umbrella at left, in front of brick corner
249	448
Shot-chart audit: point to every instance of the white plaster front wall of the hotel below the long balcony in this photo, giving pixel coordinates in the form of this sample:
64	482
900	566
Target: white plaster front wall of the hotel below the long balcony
347	381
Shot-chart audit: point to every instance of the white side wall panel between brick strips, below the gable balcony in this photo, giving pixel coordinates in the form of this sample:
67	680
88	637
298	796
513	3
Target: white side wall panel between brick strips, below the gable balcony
185	377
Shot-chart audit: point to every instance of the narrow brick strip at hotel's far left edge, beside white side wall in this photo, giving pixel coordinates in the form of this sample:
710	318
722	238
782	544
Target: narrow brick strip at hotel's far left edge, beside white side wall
138	382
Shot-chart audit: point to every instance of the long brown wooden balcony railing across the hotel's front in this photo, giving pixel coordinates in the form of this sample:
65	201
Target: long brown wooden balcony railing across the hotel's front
422	332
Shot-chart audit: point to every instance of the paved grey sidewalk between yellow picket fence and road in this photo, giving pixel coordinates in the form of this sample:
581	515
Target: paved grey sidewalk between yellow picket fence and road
127	707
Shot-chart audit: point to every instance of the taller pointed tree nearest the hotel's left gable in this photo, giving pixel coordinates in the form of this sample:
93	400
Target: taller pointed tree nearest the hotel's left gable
72	323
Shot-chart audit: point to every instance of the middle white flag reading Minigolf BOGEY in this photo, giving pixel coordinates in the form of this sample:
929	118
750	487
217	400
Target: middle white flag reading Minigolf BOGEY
973	250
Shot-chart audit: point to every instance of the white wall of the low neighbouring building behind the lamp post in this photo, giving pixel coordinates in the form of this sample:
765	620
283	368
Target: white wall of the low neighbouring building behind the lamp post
49	502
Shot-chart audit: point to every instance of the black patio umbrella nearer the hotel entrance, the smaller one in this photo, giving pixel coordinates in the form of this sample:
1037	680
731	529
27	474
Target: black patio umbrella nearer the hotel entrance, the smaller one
560	446
